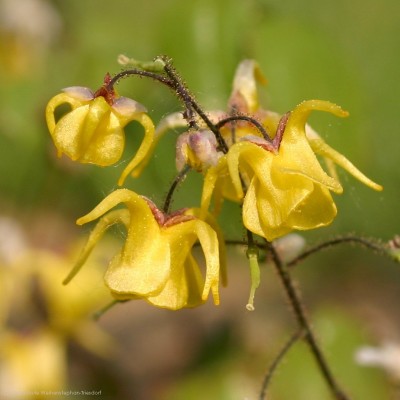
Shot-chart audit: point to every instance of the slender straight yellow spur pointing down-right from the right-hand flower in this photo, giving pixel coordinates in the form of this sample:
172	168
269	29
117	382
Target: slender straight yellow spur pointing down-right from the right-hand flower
320	147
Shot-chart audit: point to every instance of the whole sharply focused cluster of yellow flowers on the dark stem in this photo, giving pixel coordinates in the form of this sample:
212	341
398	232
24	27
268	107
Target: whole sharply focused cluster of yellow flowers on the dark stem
247	154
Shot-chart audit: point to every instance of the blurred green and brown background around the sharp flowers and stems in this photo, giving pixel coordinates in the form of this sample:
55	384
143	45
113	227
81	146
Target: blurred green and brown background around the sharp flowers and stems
345	51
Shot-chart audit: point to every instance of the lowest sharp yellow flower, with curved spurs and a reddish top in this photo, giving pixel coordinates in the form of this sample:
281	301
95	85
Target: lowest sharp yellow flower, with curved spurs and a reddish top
156	261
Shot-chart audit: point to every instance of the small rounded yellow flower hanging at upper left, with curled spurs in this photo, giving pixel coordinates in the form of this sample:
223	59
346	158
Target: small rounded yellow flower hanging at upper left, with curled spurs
93	130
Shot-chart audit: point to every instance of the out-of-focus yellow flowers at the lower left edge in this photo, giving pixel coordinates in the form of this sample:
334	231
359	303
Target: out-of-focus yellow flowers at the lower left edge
38	322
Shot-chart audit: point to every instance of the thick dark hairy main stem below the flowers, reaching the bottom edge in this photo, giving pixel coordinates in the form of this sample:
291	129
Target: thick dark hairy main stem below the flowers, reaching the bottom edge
300	314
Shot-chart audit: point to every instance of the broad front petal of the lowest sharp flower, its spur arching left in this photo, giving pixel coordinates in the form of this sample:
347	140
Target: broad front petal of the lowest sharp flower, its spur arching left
143	266
